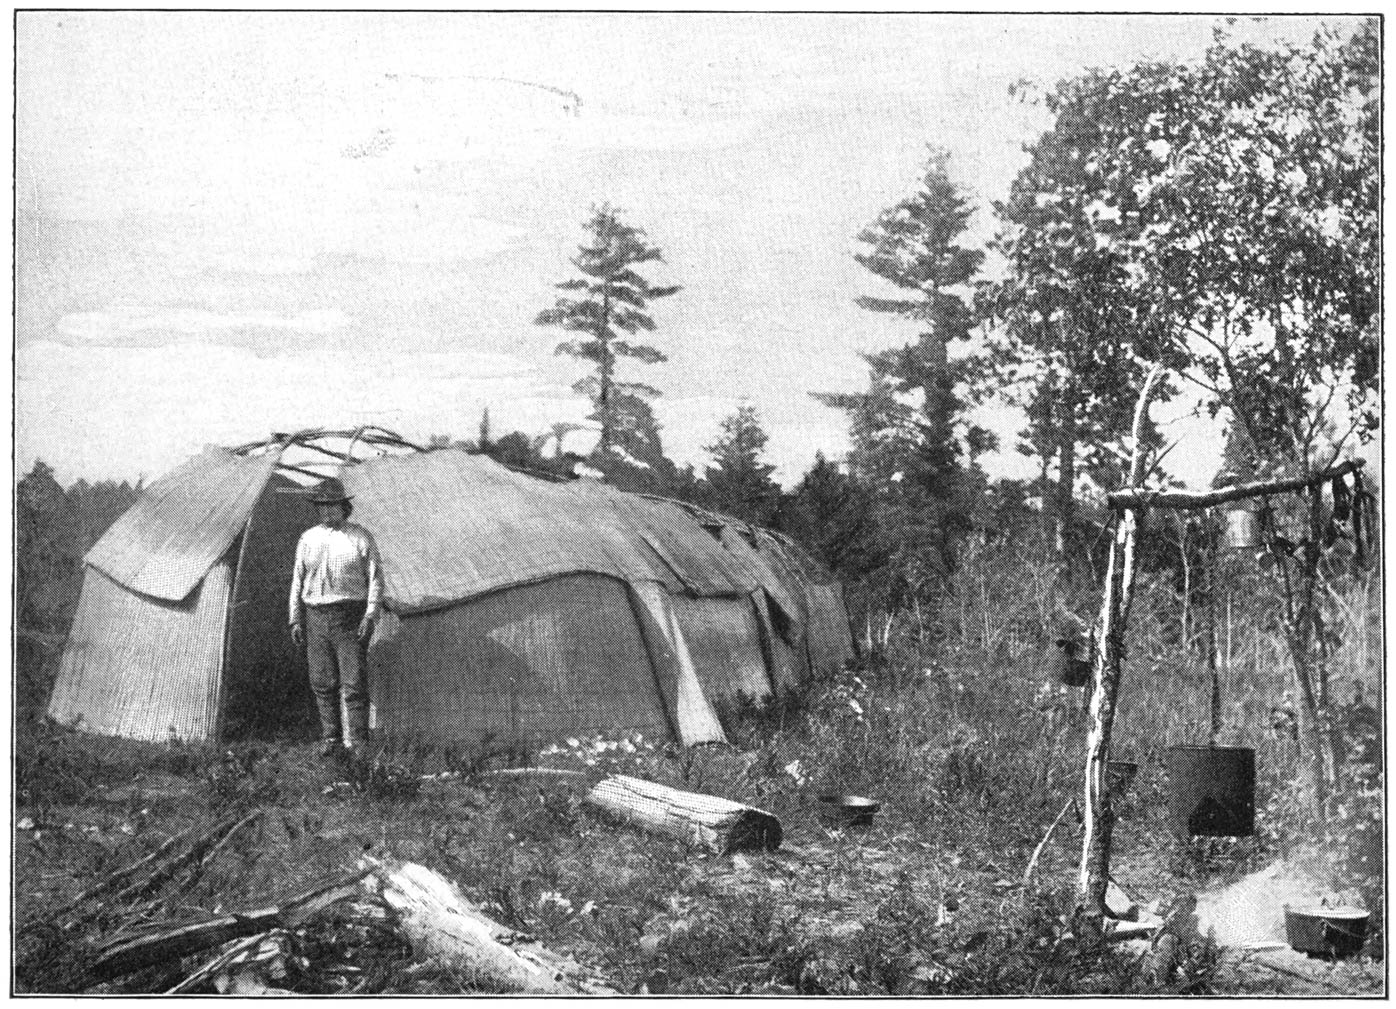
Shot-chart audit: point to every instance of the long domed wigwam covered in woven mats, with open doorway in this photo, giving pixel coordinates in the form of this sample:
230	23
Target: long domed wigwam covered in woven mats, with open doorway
517	606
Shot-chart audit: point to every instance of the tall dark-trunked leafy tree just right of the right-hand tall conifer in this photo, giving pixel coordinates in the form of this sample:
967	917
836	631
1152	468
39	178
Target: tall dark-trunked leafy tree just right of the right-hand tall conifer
1076	331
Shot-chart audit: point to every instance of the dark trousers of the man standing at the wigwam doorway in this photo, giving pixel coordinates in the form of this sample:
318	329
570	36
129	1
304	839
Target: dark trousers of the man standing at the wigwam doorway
339	665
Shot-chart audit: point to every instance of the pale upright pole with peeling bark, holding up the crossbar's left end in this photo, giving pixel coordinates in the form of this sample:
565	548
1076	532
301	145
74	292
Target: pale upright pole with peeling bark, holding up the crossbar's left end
1105	683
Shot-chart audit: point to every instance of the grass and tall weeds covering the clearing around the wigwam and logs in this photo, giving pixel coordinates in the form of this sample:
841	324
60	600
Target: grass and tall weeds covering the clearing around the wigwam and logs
956	729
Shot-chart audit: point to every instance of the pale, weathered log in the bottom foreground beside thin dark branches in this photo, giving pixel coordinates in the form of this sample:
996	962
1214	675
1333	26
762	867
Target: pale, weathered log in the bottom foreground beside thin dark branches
446	929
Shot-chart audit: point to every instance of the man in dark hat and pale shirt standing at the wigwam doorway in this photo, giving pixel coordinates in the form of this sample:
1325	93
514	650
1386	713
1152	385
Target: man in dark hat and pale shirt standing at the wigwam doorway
336	601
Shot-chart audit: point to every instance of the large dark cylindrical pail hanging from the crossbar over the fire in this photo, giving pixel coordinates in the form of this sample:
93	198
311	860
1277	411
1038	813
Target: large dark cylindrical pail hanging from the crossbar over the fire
1212	791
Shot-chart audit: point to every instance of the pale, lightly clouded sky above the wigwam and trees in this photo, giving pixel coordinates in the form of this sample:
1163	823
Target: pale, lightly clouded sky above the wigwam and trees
234	224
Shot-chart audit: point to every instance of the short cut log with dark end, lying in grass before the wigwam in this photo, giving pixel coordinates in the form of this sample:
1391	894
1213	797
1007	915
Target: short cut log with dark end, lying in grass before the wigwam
717	824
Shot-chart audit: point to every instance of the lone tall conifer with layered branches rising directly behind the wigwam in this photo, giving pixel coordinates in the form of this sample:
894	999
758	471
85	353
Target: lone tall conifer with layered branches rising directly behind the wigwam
609	304
